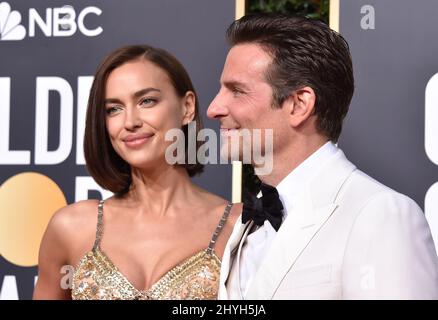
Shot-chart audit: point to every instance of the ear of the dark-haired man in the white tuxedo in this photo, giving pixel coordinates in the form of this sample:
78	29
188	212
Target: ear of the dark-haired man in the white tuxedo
300	105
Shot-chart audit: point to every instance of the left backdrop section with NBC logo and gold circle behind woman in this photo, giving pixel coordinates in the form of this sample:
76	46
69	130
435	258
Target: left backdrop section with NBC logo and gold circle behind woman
49	51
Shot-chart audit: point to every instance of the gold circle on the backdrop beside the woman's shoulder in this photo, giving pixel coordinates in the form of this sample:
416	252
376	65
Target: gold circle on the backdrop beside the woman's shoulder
27	202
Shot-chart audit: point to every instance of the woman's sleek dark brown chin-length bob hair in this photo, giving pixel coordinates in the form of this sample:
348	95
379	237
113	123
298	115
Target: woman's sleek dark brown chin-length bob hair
107	168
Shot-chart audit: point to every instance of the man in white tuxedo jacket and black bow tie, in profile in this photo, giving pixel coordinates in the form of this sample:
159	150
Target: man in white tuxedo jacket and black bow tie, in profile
343	234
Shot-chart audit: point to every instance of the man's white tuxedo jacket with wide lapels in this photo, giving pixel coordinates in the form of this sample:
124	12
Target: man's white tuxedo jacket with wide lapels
348	237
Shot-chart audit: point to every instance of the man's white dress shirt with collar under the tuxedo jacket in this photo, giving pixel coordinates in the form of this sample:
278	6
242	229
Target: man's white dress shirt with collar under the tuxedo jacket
258	242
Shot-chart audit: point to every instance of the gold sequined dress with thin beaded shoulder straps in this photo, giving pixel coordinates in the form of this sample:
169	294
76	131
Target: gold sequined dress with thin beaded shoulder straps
195	278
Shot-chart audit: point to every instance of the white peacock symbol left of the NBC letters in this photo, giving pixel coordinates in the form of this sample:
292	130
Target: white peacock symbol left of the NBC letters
10	27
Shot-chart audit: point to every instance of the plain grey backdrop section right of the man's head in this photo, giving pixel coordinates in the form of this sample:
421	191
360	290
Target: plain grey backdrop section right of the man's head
391	131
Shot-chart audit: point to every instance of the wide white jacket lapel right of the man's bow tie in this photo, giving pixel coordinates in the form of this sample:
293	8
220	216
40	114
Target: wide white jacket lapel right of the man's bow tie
311	211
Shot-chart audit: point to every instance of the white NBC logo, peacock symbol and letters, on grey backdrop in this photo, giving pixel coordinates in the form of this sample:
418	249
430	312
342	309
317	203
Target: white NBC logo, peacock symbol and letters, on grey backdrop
57	22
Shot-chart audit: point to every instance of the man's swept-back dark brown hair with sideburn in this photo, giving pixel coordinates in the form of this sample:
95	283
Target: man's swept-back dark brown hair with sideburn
305	52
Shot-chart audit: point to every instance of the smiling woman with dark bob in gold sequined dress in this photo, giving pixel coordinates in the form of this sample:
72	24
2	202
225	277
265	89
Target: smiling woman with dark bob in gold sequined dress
160	236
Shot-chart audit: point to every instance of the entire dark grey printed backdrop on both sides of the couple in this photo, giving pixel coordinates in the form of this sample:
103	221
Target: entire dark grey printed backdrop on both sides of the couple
49	53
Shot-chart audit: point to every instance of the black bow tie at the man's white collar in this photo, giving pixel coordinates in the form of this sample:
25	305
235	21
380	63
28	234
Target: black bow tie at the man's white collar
267	207
